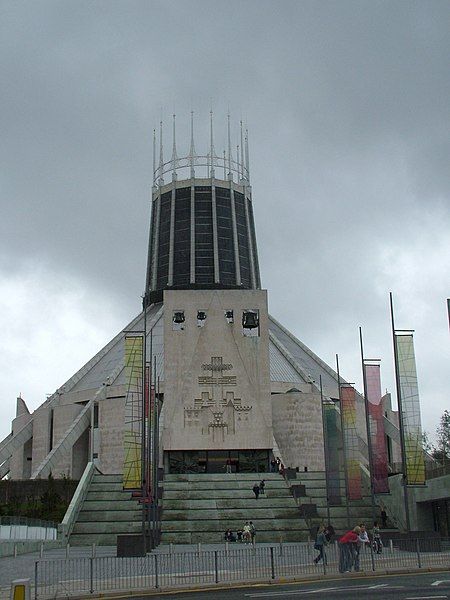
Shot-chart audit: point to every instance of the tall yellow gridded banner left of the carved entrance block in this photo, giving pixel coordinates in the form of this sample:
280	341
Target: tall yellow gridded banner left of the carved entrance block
132	441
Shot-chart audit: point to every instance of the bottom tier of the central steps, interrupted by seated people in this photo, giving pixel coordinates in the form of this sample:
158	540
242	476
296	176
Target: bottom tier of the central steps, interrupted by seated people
204	537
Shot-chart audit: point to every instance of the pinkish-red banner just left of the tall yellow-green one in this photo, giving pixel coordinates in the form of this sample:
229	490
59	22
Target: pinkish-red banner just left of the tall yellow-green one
377	439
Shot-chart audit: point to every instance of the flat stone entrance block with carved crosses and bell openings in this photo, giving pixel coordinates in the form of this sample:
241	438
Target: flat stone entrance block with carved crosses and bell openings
232	415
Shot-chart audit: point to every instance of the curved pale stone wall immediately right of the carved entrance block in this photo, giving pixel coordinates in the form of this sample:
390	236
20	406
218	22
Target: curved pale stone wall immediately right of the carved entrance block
297	427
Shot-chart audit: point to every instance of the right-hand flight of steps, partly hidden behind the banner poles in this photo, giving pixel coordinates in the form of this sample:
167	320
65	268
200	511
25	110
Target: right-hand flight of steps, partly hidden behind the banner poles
360	511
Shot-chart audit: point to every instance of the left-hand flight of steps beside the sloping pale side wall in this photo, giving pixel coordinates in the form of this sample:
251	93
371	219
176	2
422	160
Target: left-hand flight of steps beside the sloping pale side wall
107	511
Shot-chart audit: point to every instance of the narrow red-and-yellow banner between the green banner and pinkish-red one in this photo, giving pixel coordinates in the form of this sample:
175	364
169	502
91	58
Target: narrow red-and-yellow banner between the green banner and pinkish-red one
351	444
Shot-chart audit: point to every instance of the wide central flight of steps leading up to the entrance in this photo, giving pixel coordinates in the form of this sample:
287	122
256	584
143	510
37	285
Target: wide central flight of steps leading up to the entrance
200	507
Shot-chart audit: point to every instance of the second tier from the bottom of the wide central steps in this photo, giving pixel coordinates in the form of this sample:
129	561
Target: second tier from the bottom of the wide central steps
233	524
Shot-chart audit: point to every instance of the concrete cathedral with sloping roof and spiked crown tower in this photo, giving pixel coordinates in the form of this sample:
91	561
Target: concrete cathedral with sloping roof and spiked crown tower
234	384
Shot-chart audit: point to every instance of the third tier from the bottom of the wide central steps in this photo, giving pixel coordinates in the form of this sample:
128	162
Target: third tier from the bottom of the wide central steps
231	513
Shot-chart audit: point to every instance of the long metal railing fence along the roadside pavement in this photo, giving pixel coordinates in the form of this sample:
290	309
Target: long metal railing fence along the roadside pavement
232	563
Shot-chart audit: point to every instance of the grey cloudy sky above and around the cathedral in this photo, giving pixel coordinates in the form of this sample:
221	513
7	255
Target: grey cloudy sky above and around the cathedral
347	105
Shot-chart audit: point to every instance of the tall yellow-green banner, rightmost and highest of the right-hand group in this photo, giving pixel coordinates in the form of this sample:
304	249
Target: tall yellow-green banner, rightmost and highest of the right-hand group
410	409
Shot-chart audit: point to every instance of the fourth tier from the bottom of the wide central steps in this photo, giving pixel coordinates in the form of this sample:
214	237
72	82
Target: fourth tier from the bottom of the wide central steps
225	503
